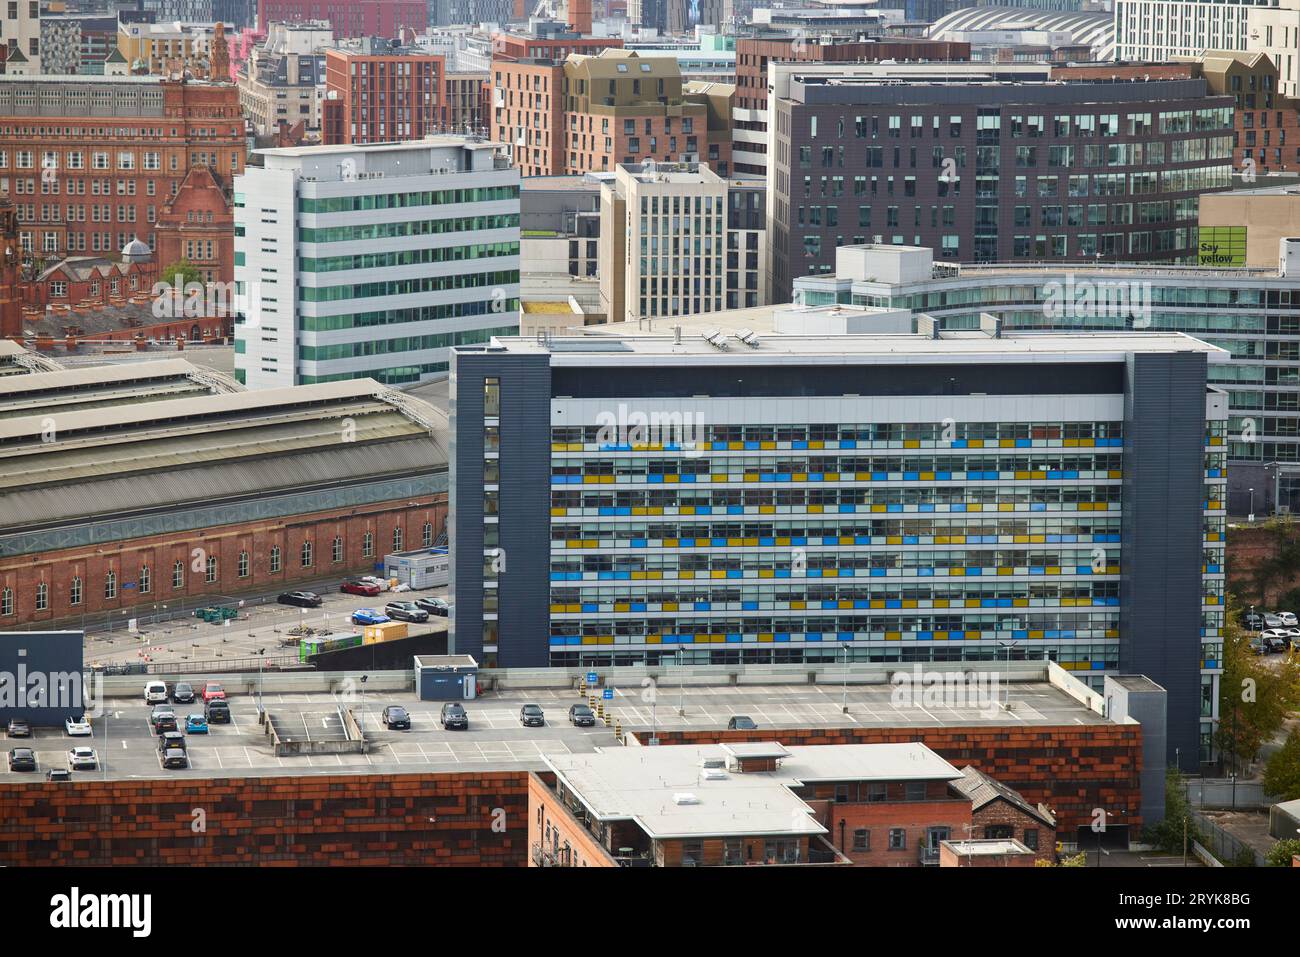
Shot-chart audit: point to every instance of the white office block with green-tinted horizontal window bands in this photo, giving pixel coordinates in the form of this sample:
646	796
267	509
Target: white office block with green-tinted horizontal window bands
374	261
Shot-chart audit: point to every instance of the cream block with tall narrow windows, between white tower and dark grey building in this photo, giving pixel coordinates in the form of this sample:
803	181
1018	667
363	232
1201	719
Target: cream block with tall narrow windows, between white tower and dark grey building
678	240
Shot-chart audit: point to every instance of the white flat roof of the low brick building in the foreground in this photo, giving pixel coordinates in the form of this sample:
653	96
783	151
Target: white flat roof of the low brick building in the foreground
669	793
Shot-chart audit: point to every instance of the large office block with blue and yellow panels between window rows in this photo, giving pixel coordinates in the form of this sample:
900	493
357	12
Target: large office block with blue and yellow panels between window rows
812	497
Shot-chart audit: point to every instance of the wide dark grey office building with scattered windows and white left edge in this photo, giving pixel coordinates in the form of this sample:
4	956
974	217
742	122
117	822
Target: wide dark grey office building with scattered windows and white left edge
990	171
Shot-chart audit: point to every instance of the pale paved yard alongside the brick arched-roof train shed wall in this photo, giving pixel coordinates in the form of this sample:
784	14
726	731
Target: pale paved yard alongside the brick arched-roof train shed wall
262	625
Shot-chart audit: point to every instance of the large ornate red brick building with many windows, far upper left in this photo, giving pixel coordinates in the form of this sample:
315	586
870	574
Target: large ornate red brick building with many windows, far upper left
96	166
